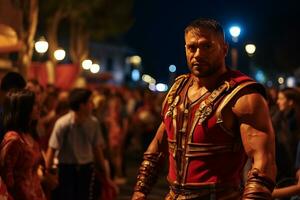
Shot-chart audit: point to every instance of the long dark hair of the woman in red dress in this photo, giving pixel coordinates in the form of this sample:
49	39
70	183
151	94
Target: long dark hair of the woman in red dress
17	108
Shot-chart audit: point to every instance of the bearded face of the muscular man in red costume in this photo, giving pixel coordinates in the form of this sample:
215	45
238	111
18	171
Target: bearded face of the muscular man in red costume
205	52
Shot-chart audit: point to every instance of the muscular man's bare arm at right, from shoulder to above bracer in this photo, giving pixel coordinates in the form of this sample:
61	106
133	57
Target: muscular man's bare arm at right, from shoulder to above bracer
256	131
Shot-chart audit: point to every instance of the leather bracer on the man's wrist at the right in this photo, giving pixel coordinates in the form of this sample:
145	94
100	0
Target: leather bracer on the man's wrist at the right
258	186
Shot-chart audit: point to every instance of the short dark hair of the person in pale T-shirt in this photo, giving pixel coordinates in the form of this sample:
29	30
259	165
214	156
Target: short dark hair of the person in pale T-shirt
78	96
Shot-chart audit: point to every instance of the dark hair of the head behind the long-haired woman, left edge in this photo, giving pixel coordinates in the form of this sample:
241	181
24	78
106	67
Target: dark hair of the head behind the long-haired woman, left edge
12	80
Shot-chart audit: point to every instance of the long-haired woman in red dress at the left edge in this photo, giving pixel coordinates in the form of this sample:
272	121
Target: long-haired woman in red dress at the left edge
20	154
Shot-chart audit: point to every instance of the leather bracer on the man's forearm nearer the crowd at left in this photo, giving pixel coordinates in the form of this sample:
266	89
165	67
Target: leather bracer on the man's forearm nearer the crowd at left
147	174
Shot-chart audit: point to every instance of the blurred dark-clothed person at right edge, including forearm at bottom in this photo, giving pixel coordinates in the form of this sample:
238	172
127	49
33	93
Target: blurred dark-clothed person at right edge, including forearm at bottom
287	129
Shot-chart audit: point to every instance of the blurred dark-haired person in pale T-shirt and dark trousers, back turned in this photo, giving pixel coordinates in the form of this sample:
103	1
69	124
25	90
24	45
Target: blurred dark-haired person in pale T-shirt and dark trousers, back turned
79	142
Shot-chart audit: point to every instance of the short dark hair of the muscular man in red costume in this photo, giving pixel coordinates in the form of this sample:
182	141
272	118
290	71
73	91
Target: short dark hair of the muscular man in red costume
208	24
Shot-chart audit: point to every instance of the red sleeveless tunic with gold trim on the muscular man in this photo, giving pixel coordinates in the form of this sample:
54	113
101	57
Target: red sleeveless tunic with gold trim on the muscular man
202	153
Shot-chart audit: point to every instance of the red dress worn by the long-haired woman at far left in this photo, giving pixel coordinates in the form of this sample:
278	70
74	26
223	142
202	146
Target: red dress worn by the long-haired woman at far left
19	163
